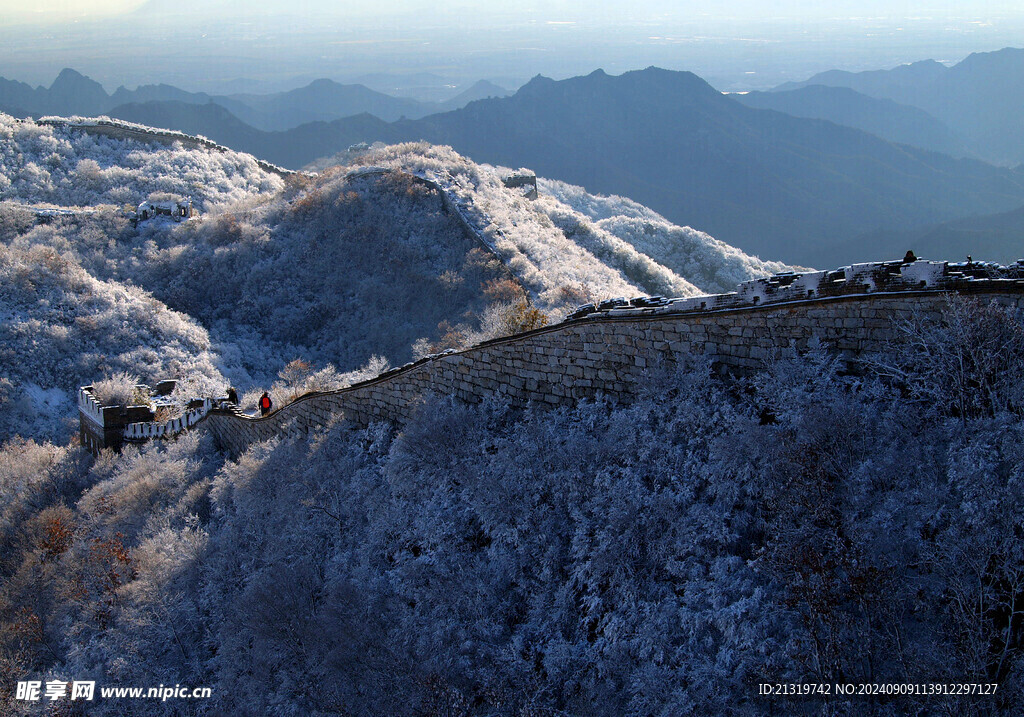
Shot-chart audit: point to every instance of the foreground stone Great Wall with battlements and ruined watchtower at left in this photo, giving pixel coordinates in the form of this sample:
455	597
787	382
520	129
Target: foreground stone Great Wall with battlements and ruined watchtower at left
613	348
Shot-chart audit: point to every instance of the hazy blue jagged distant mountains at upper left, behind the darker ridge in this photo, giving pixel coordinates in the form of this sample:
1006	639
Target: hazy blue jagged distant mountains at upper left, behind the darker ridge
73	94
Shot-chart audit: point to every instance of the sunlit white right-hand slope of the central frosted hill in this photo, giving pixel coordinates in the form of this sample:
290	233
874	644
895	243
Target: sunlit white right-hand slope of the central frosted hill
568	238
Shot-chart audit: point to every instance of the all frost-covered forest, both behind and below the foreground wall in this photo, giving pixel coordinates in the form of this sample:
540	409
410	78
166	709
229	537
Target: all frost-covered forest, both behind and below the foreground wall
662	557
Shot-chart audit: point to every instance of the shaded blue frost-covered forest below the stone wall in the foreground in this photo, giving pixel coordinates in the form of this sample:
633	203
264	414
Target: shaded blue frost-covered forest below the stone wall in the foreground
663	558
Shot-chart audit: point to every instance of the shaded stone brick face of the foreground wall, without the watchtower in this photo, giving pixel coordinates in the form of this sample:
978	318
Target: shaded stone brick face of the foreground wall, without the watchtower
612	352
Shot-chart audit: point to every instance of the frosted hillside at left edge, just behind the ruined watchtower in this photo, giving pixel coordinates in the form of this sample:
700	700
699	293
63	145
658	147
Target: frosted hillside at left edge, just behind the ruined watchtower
62	328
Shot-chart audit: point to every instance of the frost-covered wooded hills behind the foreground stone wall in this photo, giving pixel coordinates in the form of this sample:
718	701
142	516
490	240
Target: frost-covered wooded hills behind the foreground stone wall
344	272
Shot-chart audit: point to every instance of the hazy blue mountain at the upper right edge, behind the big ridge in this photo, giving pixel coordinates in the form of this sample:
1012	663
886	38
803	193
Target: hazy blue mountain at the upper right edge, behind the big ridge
982	99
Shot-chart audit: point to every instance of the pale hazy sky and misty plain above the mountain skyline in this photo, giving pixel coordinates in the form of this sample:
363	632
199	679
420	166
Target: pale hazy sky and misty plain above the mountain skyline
736	45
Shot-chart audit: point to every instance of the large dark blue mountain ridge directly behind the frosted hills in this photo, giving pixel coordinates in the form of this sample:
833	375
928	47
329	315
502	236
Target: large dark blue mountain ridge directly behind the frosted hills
772	184
